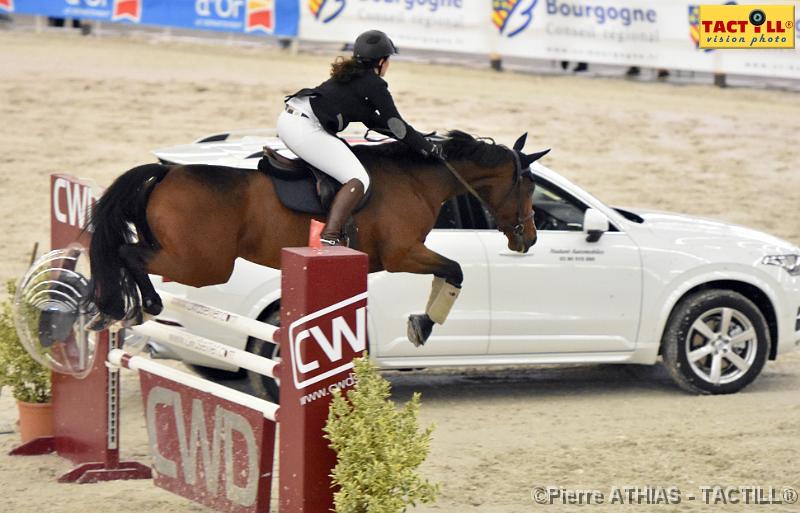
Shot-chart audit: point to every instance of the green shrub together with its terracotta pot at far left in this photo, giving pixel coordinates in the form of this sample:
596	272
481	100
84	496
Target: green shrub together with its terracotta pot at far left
29	380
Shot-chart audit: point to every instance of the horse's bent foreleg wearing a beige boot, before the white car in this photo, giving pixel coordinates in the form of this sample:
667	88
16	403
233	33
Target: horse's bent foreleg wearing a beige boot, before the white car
444	290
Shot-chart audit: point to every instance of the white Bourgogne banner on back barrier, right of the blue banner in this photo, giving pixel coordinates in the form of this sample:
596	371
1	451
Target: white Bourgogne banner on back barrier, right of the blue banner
655	33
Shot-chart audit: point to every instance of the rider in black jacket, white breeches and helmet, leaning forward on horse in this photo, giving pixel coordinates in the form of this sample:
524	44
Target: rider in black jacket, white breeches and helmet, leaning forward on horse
355	92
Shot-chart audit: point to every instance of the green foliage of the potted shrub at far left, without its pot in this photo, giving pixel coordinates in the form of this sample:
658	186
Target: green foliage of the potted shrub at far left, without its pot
18	370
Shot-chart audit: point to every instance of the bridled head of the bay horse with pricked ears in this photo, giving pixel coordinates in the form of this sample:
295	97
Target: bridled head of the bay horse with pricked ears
507	192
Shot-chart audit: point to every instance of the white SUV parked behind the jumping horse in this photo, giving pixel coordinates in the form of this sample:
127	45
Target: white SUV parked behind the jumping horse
714	300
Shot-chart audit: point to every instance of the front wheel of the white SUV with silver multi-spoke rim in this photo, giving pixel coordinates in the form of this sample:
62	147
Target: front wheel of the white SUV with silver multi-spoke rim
716	342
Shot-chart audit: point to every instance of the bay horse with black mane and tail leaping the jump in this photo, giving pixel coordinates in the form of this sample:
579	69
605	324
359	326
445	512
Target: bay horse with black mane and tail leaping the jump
190	222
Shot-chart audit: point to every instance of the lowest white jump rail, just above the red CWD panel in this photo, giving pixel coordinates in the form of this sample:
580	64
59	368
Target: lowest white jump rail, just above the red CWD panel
119	358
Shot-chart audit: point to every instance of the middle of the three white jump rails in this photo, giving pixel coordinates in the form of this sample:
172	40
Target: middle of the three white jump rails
207	347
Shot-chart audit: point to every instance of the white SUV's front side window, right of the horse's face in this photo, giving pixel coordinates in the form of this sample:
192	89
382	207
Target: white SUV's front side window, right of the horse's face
554	209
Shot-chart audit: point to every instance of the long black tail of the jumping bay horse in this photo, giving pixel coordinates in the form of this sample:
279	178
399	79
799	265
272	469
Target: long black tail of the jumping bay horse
117	218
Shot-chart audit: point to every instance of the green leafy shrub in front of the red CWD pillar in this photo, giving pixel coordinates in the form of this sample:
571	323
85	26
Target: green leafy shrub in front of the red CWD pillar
378	446
